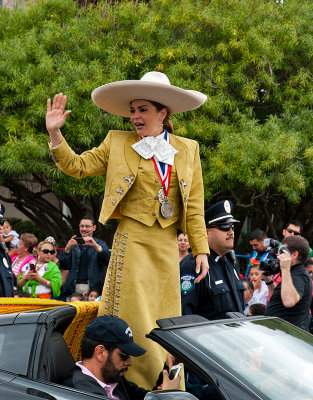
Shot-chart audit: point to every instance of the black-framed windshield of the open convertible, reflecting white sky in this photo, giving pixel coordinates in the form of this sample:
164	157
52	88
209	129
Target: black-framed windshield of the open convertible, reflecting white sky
242	357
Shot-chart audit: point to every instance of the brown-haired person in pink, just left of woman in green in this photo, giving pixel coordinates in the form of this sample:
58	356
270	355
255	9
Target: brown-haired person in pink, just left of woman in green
24	252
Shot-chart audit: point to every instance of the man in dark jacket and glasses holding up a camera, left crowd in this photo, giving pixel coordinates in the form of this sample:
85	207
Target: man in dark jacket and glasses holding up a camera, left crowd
85	258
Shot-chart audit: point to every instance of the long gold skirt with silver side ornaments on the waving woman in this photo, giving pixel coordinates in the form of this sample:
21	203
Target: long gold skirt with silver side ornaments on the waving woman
141	286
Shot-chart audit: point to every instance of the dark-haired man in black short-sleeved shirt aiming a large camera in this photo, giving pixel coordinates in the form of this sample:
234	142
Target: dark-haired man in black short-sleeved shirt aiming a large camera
291	298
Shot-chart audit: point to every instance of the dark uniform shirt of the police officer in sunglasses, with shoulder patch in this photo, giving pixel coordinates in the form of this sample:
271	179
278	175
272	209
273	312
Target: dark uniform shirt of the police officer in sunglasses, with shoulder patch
221	291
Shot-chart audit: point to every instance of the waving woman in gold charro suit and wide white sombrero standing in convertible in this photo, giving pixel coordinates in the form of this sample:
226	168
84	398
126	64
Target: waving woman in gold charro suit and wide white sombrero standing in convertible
154	186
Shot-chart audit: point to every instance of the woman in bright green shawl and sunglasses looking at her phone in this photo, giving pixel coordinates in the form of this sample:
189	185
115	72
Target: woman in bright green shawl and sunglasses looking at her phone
41	278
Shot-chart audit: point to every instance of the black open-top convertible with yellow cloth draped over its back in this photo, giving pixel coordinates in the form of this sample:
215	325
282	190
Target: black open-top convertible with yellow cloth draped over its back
239	357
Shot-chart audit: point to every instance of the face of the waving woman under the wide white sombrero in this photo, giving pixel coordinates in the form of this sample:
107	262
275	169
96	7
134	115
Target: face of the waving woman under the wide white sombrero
147	120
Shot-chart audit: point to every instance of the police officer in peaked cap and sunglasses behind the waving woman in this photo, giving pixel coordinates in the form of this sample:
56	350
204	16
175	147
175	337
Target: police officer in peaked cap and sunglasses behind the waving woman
221	290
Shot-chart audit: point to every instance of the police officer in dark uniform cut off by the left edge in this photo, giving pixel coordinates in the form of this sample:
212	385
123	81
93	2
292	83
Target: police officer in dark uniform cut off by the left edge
6	275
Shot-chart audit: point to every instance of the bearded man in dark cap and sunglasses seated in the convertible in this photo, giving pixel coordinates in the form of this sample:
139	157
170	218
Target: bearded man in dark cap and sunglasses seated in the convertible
106	356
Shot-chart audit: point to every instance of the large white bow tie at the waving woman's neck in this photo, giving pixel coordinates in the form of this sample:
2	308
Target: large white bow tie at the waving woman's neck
159	148
